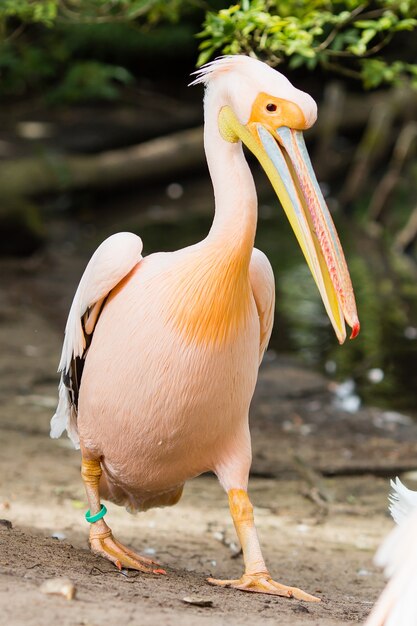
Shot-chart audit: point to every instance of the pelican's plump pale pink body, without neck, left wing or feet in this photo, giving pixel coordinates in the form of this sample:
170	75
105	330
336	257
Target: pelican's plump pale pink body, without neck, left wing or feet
182	416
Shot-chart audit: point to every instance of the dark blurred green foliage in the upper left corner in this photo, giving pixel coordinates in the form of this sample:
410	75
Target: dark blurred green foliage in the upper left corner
77	50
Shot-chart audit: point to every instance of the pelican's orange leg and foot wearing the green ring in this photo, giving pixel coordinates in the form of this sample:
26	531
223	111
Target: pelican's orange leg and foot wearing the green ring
102	541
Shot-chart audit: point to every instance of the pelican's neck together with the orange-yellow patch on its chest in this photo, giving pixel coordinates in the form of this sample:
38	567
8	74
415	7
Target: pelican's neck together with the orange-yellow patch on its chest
214	283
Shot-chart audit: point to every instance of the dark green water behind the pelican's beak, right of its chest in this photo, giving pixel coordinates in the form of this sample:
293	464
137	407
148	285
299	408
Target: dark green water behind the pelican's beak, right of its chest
382	361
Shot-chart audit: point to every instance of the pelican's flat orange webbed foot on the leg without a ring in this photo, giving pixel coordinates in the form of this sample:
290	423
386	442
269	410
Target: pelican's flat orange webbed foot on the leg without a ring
263	583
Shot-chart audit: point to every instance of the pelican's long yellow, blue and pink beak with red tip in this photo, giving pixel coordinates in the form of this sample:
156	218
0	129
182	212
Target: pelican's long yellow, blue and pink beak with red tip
284	157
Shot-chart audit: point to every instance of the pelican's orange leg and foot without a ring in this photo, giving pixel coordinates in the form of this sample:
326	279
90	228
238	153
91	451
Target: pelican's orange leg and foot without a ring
256	577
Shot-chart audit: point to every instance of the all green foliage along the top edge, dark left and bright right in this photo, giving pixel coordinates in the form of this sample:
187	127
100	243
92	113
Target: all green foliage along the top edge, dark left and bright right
76	50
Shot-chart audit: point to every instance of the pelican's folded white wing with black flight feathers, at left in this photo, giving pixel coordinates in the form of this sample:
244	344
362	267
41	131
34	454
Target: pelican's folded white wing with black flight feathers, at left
111	262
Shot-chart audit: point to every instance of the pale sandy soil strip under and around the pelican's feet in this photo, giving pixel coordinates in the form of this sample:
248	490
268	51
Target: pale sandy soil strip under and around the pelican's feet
331	557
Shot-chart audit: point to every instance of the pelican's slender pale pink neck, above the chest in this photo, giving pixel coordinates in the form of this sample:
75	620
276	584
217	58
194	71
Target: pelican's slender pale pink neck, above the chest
235	218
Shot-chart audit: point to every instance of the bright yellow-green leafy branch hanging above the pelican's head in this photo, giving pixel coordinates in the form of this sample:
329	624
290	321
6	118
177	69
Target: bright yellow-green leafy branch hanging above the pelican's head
343	36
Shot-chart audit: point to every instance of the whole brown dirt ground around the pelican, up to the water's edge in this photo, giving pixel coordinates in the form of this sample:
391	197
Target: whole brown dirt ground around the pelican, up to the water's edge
320	509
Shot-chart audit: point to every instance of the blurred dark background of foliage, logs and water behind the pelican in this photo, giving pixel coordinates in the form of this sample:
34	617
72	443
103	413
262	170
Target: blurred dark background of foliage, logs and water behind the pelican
99	133
